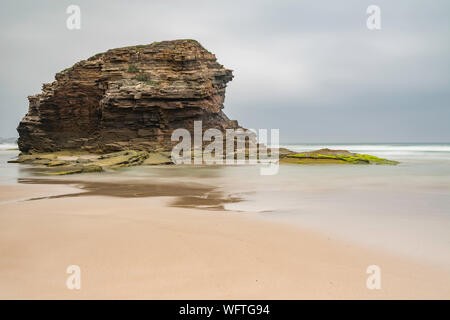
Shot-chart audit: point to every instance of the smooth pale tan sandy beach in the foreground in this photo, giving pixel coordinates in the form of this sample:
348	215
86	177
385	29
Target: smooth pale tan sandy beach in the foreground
143	248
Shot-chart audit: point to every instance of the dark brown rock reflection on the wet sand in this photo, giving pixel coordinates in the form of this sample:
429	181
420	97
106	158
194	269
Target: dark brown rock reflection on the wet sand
186	195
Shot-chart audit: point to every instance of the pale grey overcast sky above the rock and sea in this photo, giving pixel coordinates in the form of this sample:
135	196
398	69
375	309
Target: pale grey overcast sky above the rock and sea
310	68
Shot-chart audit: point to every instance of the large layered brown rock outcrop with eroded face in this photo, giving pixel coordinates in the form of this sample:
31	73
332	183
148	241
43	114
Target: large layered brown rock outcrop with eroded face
128	98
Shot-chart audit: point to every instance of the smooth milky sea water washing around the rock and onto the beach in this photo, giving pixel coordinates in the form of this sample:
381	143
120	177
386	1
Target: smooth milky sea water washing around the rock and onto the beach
404	209
